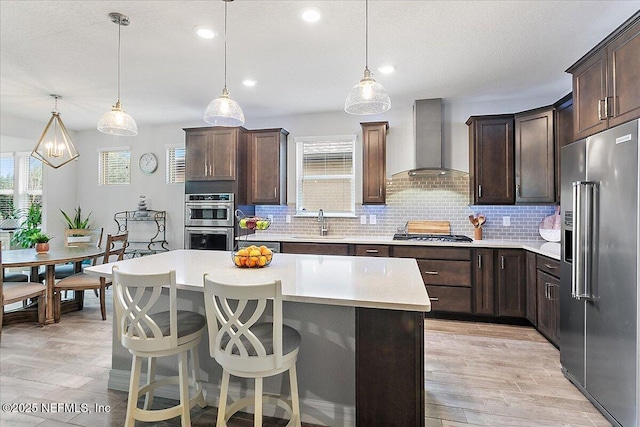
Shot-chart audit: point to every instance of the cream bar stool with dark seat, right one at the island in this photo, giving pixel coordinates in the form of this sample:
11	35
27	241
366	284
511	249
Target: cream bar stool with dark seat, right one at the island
247	347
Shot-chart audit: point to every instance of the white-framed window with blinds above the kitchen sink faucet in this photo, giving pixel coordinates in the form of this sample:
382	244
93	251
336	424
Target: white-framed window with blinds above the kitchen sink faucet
325	175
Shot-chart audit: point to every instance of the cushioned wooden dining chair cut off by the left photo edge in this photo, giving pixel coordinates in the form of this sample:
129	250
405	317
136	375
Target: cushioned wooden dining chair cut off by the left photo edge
12	292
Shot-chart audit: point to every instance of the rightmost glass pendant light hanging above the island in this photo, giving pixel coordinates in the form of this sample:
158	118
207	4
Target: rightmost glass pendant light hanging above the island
368	96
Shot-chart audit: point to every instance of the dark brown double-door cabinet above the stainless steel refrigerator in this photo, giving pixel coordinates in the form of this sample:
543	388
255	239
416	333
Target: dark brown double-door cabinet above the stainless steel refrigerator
606	81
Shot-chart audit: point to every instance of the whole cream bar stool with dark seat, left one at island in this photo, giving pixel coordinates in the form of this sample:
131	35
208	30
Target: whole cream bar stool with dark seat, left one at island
148	334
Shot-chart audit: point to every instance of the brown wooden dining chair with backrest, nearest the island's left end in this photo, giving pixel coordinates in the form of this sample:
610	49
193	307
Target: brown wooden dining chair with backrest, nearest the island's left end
79	282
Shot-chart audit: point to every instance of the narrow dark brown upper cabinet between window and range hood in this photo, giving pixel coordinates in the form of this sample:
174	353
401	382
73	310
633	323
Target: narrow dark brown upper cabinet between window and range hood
374	169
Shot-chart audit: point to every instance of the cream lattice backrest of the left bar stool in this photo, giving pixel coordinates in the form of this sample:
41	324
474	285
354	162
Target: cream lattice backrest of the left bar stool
134	297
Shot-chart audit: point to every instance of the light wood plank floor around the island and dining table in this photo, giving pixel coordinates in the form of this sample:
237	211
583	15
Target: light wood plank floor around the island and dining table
476	374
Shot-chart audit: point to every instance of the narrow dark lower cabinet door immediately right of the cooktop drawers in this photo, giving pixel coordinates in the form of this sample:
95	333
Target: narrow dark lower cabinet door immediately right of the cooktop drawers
484	282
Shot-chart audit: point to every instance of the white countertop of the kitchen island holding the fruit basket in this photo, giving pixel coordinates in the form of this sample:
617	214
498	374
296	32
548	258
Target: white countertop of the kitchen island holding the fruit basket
387	283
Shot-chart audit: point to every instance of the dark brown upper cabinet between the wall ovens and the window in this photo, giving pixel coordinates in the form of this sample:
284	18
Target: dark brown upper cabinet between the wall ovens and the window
267	167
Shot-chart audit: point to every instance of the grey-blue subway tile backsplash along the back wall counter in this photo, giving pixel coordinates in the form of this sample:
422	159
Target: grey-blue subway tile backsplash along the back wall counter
420	198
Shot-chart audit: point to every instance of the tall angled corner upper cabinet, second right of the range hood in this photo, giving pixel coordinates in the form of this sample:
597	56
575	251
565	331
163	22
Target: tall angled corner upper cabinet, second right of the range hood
534	156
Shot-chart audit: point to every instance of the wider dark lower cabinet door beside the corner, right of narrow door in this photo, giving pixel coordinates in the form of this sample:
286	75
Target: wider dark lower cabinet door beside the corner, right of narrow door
512	296
